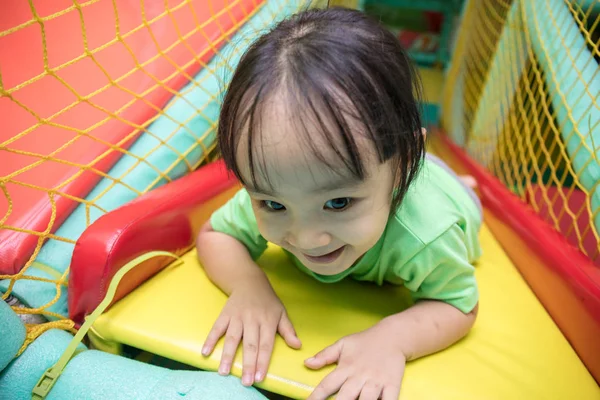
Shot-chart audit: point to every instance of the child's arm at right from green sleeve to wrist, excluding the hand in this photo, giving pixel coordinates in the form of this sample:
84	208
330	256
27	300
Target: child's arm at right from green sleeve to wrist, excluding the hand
442	282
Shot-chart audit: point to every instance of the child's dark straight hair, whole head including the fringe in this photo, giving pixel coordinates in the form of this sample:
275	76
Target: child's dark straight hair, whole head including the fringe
338	61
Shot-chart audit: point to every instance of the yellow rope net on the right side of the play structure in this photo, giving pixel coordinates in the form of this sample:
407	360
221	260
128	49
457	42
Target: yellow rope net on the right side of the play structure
521	97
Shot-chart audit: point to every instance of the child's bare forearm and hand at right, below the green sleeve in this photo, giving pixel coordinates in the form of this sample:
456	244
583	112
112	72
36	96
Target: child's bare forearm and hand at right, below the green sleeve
371	363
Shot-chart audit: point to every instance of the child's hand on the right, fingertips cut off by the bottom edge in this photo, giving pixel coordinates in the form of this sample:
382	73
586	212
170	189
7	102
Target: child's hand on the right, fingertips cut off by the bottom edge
369	367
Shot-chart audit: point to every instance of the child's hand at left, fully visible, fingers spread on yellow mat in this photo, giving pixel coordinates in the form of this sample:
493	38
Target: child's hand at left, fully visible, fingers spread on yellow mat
255	313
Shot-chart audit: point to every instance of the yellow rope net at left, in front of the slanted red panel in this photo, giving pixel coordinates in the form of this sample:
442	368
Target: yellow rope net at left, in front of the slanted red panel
61	97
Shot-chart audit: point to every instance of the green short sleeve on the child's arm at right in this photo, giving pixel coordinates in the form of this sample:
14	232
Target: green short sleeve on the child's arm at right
441	271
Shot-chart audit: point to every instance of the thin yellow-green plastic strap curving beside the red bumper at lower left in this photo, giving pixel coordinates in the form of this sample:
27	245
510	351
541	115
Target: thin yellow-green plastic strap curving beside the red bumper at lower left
47	381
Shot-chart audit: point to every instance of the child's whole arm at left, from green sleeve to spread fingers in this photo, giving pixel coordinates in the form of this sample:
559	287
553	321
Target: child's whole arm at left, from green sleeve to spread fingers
227	246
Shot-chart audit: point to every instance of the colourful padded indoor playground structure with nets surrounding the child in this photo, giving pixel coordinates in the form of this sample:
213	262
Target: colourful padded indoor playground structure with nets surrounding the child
108	170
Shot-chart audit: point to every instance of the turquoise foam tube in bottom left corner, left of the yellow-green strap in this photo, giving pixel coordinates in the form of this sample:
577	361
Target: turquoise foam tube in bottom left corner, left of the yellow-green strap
18	379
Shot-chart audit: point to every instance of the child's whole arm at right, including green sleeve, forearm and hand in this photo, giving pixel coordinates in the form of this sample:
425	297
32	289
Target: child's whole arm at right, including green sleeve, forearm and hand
371	363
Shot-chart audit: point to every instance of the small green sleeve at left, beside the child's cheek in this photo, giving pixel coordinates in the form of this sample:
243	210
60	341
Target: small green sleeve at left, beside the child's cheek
236	219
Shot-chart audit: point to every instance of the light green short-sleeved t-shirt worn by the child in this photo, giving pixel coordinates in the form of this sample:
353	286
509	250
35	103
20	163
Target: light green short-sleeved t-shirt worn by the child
428	245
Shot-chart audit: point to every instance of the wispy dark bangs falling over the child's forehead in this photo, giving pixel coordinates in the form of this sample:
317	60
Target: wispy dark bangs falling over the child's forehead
325	125
